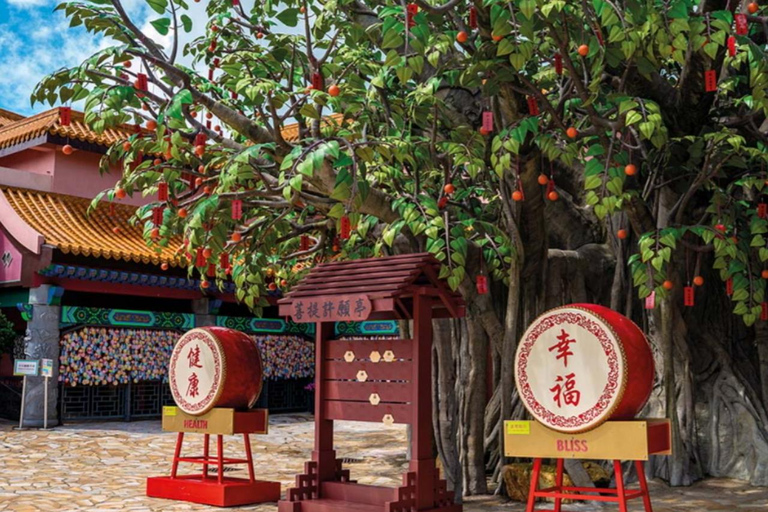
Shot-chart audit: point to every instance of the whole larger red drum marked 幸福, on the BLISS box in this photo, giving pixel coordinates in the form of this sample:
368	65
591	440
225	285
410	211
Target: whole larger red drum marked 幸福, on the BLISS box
580	365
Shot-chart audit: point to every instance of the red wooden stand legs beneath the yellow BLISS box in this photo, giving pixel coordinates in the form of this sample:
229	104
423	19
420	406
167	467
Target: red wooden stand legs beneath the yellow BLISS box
618	495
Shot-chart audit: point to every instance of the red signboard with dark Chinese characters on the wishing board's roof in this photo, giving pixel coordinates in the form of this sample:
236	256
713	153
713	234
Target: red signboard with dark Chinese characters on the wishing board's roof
340	308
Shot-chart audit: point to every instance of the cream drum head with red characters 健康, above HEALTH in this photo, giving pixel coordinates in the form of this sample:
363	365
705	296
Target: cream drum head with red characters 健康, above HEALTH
196	372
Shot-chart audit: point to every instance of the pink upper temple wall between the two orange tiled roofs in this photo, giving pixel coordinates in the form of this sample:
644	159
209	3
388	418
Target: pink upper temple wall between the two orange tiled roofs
48	169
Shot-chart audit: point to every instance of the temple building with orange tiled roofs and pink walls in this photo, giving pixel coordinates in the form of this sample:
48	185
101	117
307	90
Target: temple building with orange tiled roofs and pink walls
87	292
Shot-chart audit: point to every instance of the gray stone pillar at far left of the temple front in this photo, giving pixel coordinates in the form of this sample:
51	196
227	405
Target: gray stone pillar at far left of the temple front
42	341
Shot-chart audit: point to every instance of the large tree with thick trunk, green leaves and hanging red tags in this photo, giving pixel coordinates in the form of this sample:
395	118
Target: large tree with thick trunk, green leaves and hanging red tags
546	152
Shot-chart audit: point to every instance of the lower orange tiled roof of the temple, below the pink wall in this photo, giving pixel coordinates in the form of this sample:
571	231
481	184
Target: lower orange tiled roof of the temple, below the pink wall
64	223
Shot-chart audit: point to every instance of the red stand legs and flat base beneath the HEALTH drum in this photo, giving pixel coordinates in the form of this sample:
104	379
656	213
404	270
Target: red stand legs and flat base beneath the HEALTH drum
216	490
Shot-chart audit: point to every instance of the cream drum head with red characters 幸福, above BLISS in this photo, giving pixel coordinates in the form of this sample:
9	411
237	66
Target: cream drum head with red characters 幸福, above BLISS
570	369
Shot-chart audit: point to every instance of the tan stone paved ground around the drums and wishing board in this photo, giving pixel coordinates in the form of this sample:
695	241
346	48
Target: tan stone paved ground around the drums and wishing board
101	467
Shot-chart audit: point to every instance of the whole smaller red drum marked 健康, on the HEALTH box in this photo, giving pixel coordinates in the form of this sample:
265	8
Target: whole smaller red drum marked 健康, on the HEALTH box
215	367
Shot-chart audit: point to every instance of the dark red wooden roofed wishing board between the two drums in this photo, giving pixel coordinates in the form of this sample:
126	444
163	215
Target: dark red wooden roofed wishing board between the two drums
372	380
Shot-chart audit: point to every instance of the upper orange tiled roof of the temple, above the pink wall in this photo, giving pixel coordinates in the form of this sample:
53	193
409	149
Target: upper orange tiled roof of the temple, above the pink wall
48	122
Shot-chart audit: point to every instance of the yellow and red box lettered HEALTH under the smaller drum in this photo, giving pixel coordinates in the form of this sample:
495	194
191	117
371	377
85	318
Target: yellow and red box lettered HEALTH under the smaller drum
217	421
